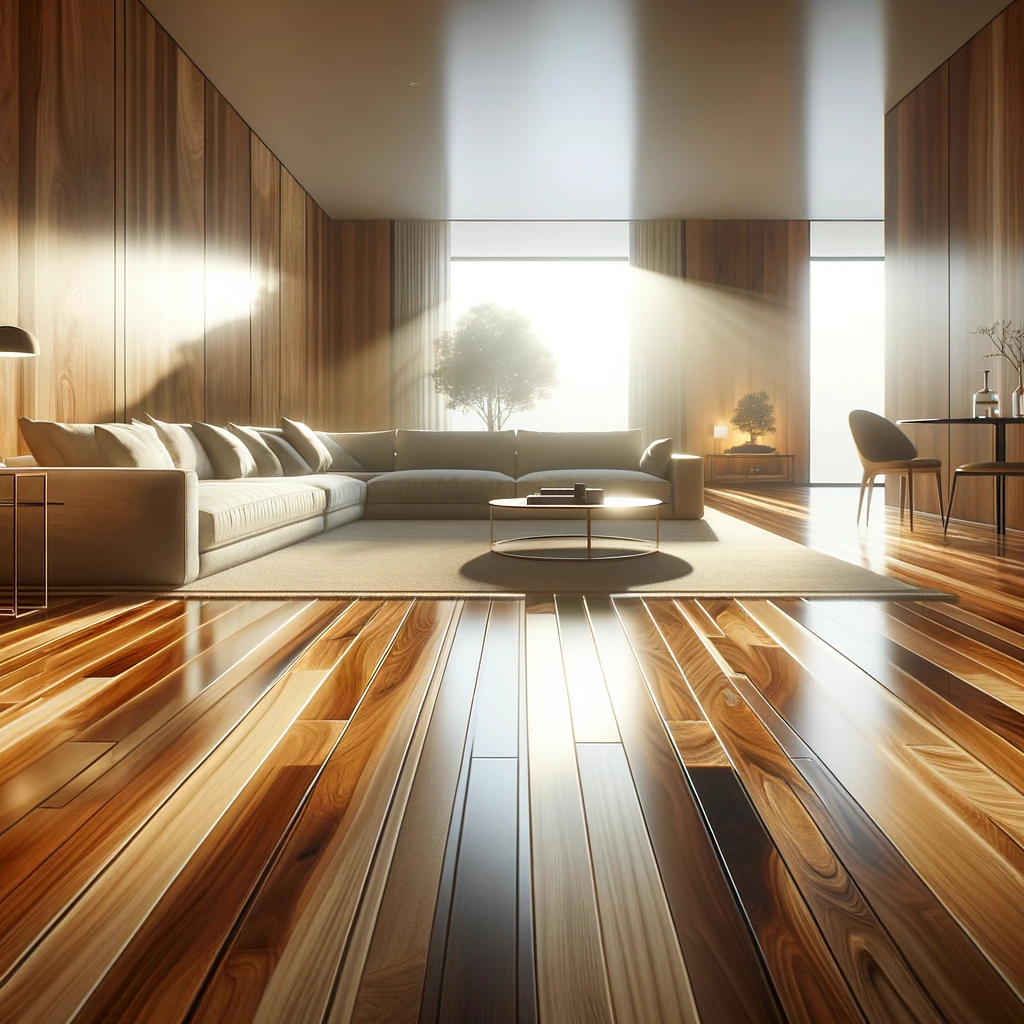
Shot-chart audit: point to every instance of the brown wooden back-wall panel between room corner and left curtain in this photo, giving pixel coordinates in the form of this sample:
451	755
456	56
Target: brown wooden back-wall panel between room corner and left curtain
363	286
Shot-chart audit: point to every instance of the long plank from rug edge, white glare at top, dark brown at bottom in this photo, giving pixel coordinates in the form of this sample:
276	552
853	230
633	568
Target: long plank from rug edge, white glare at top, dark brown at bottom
726	970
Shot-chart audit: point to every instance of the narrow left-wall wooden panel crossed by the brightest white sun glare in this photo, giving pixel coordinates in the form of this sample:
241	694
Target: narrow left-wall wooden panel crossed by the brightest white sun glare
228	263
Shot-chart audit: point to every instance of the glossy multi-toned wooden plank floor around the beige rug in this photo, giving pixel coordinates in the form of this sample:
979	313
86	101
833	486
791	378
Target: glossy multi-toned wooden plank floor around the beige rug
551	809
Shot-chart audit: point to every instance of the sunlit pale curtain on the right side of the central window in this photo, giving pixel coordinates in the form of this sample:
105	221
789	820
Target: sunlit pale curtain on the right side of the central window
658	403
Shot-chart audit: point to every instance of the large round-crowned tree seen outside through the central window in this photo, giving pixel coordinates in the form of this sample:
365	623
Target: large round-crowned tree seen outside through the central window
494	364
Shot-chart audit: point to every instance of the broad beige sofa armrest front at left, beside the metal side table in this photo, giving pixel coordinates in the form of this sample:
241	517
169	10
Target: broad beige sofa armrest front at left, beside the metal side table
134	528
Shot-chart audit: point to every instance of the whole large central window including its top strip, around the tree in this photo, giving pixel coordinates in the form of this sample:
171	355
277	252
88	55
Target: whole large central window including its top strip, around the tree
572	280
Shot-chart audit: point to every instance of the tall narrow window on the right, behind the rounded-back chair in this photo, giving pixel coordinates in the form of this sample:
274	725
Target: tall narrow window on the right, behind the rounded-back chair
847	342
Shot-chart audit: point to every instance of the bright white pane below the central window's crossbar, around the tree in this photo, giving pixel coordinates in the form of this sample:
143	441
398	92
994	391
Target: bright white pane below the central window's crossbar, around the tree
580	311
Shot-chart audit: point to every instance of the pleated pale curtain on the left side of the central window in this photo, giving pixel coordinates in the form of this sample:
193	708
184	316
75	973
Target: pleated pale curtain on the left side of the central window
421	292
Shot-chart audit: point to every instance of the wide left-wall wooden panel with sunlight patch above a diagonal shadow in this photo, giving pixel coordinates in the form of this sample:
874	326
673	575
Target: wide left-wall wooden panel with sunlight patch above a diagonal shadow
165	224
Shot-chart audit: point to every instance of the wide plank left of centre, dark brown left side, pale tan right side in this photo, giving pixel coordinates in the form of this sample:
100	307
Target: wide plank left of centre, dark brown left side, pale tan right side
319	895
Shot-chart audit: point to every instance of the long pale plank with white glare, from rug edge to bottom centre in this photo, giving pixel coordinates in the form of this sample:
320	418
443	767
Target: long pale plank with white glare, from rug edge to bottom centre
572	982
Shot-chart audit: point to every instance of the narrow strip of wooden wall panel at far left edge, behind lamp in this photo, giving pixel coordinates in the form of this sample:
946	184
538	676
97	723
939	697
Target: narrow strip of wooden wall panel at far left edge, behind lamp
12	371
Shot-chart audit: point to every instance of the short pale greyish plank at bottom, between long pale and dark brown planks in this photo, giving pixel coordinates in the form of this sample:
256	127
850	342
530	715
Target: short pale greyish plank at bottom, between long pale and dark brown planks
646	966
